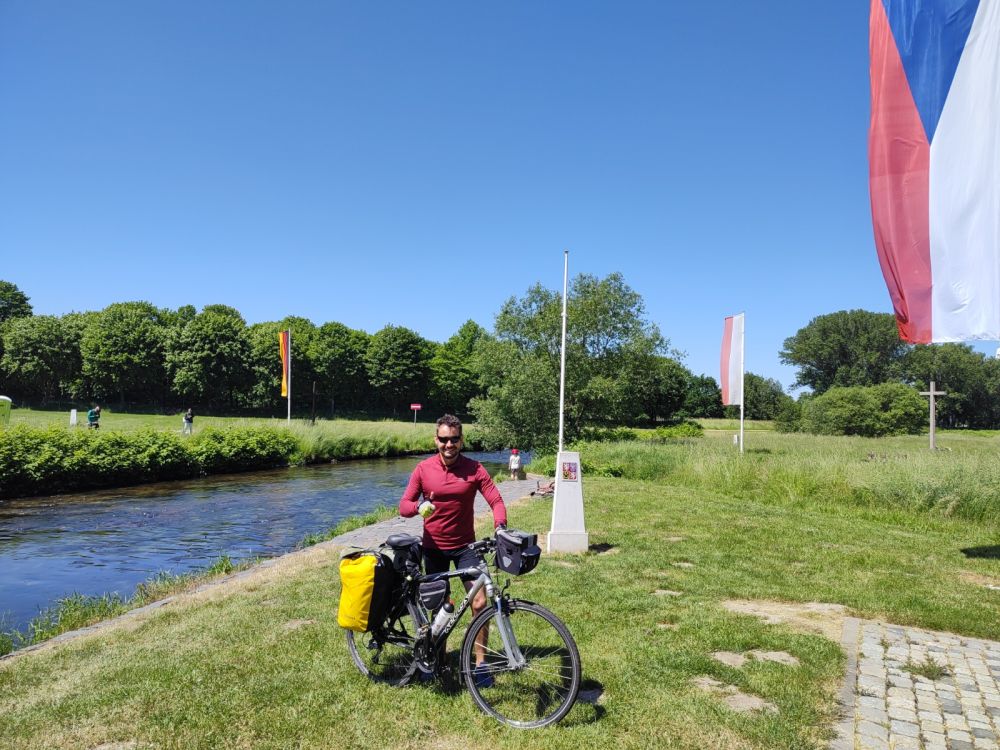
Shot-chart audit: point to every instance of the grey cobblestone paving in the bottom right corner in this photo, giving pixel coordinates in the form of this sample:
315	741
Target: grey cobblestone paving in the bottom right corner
912	689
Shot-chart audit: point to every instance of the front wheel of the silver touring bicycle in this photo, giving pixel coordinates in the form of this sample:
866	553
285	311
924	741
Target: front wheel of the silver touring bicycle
540	692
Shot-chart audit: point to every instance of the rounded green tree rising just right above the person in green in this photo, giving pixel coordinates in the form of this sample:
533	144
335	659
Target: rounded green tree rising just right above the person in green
123	352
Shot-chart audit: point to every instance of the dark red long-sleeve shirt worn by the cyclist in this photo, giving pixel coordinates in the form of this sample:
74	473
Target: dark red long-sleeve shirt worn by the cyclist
454	494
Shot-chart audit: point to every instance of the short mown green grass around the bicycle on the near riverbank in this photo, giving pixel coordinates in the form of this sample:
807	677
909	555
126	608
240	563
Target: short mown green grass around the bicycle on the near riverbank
266	666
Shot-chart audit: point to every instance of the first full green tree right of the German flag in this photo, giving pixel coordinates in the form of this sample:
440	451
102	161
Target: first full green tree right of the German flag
338	354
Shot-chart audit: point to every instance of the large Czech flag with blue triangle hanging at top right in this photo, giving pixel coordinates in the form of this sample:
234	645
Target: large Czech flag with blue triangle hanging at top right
934	163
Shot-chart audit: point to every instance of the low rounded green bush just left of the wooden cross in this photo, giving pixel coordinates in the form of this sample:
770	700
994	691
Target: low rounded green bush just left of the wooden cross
868	411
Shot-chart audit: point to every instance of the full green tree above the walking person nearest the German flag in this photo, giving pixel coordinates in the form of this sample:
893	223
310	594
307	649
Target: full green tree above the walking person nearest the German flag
208	358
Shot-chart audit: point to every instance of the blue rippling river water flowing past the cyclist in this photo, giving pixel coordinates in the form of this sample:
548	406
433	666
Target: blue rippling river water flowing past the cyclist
112	540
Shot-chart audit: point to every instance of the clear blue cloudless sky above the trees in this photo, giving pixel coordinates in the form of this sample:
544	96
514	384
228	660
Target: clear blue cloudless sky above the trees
418	163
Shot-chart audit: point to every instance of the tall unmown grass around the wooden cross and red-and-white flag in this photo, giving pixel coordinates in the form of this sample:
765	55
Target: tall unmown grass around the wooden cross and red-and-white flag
963	480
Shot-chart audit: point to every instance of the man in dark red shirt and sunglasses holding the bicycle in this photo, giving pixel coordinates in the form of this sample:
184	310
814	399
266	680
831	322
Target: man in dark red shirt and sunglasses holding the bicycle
442	489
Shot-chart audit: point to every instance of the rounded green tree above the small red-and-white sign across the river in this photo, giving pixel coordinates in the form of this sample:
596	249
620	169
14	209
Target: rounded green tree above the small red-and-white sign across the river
398	364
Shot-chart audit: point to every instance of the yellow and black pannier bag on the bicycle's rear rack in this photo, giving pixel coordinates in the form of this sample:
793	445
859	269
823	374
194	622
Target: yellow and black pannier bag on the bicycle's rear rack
366	583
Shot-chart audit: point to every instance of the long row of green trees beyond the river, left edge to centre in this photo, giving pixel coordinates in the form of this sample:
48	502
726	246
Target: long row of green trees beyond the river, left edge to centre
620	368
